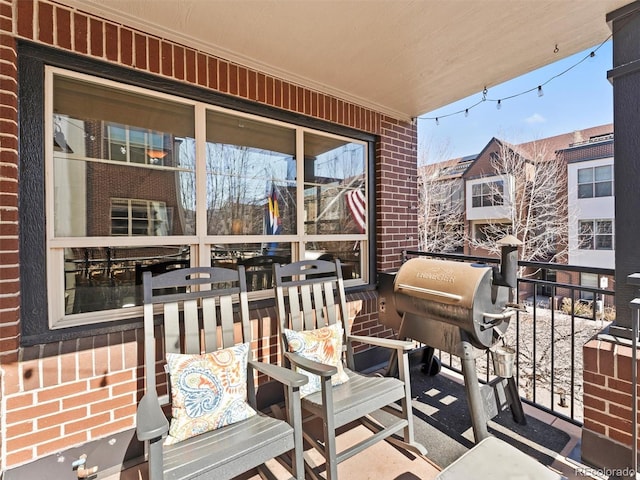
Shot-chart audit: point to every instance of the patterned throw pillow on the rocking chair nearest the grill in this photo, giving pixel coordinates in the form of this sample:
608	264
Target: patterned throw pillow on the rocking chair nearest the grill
322	345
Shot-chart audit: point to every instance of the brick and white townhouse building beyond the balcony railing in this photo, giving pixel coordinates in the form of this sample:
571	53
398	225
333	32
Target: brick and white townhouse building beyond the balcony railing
492	201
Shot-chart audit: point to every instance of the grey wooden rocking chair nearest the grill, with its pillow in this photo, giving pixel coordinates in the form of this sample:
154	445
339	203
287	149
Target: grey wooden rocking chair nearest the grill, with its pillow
310	297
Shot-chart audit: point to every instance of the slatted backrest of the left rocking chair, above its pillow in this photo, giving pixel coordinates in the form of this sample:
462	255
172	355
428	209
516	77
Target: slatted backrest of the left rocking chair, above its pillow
197	313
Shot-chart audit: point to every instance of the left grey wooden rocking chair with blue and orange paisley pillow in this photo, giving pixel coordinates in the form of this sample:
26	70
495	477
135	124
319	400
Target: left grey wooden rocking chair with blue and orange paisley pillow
197	316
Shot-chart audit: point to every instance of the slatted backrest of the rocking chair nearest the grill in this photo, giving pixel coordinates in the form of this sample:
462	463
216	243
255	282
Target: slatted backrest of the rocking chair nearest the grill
309	295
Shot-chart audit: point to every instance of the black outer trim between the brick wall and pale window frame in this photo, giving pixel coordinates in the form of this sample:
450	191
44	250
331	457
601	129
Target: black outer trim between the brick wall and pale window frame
32	60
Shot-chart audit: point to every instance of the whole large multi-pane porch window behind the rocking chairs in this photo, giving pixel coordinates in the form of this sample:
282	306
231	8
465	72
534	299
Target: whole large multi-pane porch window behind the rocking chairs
143	181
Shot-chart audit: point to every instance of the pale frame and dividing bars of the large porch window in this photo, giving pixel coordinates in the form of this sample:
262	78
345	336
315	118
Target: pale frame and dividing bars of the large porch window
200	243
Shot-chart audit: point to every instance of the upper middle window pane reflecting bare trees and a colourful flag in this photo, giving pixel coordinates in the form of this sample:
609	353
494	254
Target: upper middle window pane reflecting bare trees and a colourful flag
251	187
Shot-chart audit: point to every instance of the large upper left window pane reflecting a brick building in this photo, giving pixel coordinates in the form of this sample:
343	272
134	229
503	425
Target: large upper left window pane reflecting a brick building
122	162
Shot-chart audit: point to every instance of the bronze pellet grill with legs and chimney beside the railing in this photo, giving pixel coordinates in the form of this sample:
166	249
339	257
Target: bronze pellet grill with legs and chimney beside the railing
463	309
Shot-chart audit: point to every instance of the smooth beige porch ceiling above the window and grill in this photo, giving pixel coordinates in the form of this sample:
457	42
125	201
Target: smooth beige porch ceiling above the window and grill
402	57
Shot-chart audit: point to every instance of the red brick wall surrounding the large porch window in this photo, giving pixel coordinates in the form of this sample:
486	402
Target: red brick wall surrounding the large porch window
59	395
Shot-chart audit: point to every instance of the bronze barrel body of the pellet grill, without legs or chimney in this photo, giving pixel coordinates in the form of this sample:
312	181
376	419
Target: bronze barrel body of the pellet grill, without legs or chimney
432	292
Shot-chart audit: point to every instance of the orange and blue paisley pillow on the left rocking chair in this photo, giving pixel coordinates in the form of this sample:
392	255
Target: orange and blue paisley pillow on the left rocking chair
208	391
